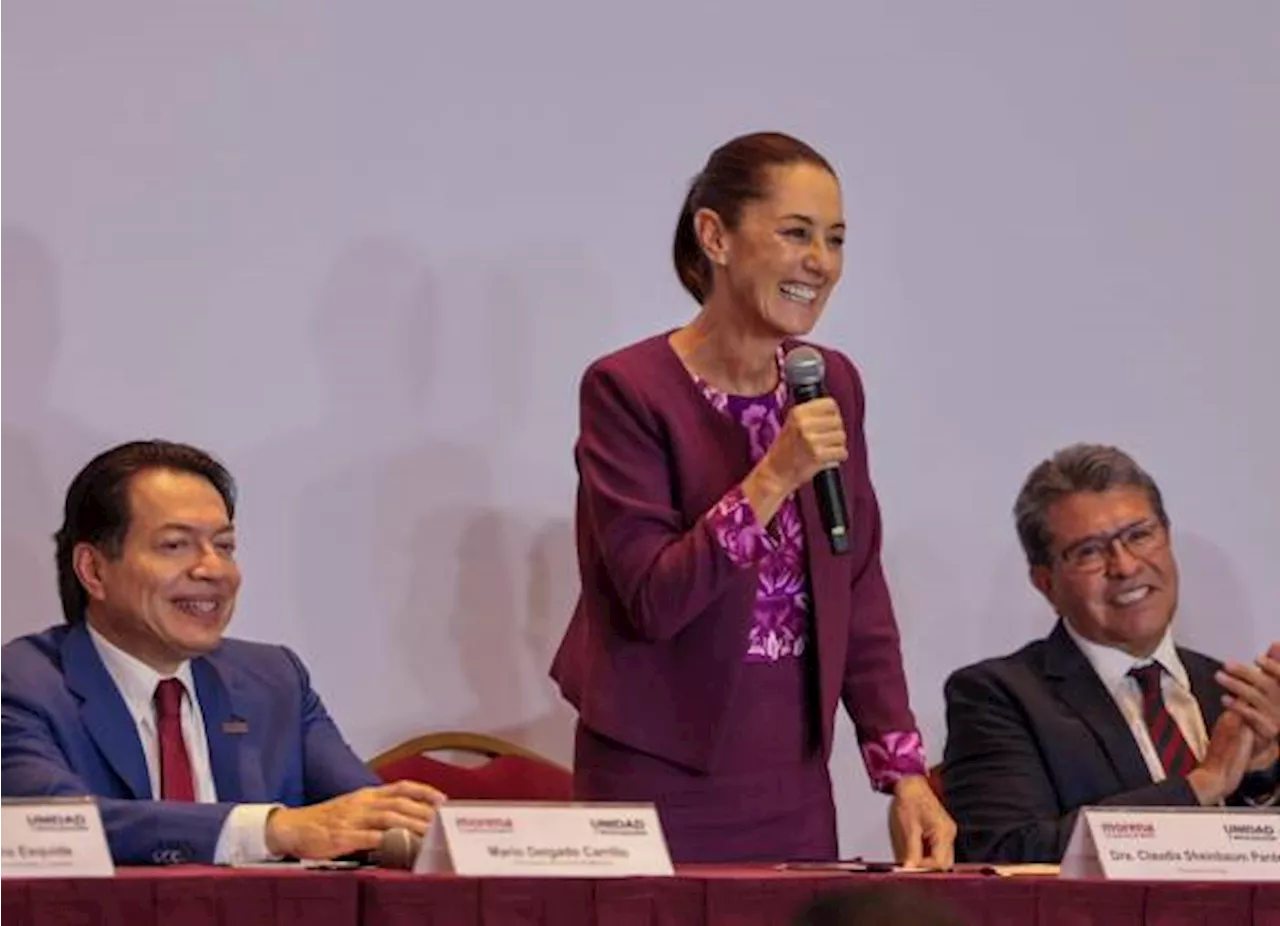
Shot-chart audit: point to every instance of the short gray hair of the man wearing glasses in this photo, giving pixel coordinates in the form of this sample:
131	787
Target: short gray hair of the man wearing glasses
1080	468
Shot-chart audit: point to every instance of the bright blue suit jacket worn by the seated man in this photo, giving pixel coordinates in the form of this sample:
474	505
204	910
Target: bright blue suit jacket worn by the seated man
66	731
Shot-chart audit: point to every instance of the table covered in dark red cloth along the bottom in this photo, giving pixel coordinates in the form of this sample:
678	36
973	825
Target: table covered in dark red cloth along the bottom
700	896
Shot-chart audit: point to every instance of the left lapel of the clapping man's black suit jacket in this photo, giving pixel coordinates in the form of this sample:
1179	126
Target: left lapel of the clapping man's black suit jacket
1081	690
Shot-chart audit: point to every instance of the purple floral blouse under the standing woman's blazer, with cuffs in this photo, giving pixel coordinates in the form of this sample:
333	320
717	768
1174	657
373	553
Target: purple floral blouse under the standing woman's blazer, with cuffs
781	626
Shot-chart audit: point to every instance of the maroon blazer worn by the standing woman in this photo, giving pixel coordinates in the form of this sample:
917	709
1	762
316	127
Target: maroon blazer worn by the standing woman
657	642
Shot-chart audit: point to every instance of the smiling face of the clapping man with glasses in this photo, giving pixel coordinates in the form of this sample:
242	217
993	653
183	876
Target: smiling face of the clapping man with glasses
1112	574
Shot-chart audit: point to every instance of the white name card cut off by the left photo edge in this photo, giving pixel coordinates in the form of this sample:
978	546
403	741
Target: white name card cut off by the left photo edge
53	838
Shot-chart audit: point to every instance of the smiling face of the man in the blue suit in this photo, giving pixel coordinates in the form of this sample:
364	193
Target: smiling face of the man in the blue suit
171	591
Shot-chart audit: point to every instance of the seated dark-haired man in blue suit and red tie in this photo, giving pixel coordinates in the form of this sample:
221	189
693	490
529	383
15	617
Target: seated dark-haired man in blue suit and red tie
199	749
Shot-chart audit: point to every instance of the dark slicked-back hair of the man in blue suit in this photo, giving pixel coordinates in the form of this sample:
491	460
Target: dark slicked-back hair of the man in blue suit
98	505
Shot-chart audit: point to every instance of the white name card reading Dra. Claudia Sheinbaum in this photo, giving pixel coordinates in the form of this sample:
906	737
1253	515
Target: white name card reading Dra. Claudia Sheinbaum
1176	845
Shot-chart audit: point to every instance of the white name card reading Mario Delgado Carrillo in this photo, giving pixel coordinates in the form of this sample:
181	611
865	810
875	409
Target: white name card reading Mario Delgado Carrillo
484	838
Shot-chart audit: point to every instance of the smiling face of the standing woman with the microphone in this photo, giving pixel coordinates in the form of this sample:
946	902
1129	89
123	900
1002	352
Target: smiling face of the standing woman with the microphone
787	254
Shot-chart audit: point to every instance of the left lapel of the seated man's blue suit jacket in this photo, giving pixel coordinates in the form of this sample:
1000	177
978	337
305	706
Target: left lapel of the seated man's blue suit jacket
103	710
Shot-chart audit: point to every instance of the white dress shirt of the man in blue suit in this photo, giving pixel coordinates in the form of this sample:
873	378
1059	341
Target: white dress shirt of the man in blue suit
244	837
